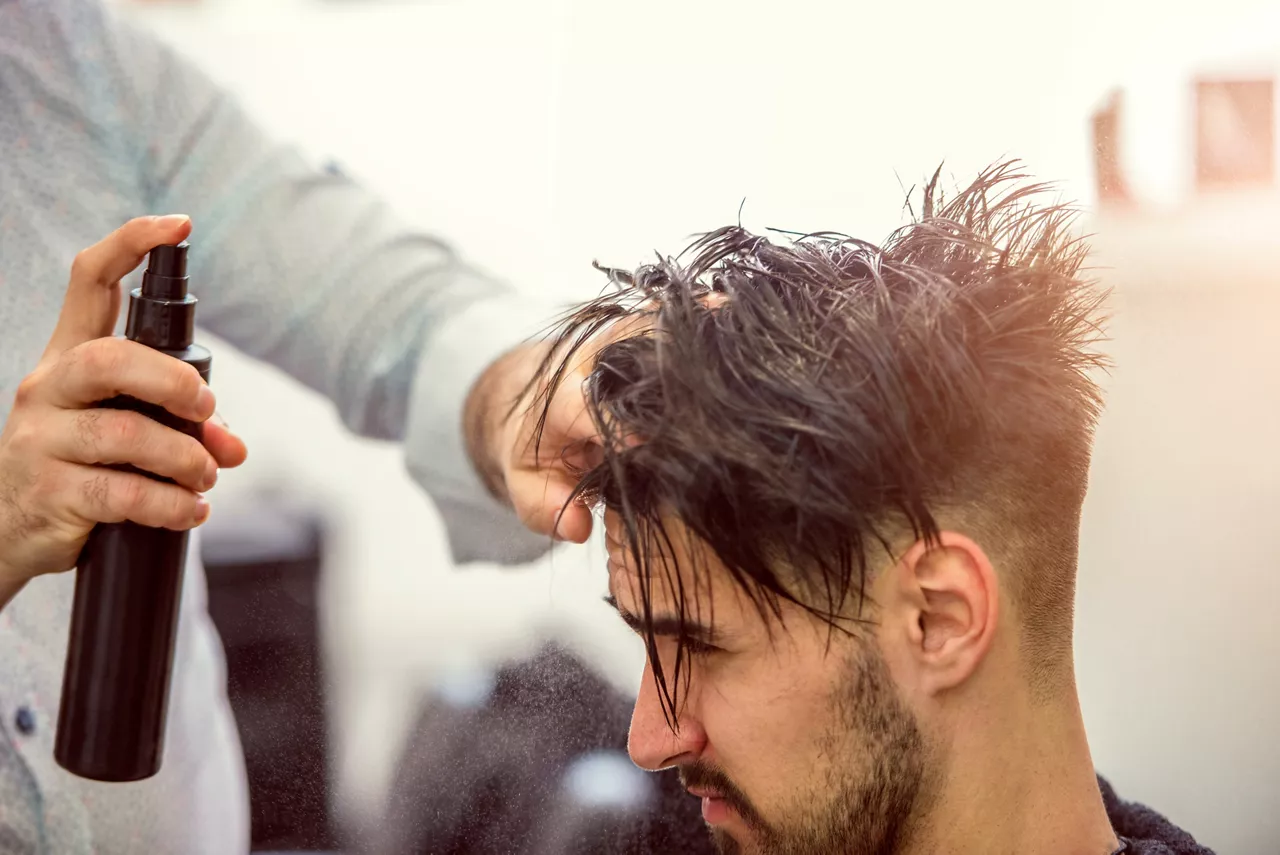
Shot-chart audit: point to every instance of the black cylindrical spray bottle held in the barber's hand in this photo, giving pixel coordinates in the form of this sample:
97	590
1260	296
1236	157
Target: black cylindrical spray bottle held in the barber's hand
129	580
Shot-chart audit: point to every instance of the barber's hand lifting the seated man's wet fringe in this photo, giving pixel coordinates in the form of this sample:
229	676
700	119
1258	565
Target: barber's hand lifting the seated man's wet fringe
537	482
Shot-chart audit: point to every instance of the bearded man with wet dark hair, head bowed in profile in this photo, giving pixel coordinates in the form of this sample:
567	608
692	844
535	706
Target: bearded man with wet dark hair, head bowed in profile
843	490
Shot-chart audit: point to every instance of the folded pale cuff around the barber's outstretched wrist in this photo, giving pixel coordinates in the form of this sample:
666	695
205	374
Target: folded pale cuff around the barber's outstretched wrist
452	360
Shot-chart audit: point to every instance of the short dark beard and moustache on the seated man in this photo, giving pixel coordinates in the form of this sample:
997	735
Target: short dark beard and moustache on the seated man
865	806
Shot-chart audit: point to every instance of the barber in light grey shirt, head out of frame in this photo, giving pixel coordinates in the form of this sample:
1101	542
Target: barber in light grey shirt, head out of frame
100	125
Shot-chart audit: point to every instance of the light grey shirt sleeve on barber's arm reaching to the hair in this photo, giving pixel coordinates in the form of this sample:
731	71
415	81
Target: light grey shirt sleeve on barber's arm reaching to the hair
308	271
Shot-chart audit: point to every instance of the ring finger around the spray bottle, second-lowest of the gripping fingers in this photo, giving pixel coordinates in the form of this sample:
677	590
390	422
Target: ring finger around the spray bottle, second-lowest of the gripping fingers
112	437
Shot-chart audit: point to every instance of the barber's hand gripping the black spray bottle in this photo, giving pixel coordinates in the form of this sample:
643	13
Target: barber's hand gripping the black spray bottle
56	446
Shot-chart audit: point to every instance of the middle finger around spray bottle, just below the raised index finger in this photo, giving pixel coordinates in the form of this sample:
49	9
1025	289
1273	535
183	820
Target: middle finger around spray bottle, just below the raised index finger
111	367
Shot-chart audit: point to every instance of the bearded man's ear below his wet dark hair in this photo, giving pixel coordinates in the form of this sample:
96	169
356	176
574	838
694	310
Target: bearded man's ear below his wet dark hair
949	602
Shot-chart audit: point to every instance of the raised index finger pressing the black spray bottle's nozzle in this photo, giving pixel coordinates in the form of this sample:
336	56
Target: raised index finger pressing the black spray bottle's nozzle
93	301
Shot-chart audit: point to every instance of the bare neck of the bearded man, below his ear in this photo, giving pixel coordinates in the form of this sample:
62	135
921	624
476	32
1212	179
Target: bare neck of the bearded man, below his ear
1021	783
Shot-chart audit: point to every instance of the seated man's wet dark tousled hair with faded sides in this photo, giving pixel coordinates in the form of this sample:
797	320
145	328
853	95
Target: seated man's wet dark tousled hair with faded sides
804	403
